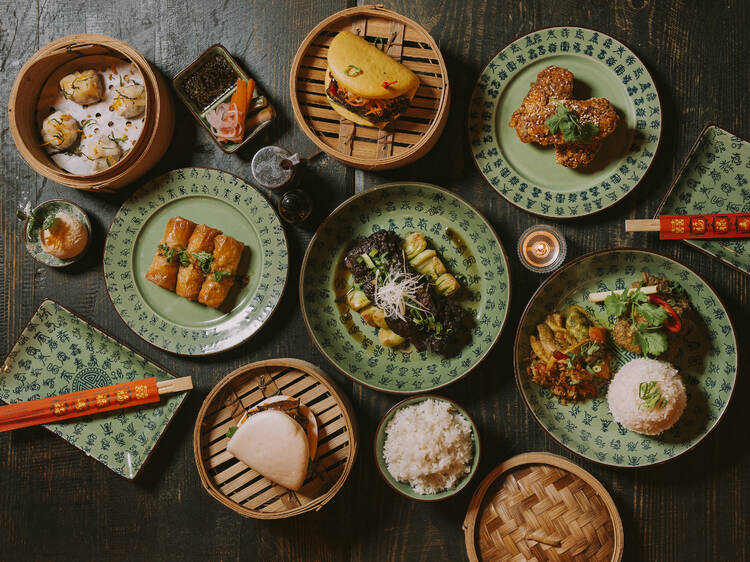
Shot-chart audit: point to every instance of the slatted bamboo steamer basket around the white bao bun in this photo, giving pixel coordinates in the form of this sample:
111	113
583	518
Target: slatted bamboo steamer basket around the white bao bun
242	489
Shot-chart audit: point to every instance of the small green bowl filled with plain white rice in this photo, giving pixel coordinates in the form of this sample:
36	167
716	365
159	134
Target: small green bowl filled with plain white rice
427	447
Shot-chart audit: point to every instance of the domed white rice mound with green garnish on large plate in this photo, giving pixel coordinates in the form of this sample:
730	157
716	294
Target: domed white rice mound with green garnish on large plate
626	406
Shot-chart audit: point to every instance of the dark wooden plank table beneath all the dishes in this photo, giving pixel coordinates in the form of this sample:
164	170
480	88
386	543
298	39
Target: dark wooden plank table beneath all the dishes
57	503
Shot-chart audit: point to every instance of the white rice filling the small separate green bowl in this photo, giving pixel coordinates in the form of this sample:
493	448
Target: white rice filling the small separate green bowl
429	446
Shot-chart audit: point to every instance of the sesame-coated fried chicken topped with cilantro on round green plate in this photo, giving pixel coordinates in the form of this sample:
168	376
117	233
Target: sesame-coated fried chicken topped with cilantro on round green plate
555	85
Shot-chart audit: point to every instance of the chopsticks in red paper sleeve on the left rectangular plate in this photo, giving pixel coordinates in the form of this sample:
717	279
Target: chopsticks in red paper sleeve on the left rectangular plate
88	402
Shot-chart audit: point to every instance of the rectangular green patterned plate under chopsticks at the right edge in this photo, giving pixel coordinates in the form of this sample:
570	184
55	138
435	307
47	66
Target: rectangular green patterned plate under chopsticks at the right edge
714	179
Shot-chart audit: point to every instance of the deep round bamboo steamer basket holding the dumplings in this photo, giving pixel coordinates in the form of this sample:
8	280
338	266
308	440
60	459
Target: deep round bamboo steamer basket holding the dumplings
158	122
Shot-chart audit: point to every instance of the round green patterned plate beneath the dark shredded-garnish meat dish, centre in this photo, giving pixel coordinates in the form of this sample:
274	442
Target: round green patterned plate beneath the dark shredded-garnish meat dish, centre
350	344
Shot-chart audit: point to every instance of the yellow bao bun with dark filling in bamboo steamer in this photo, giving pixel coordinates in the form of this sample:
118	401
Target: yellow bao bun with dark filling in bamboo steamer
365	85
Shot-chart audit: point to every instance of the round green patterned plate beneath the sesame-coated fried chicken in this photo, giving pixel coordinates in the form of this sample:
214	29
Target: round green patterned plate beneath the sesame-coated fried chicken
527	175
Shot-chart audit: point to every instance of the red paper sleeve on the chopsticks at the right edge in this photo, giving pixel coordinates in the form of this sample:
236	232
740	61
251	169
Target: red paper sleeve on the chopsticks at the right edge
730	225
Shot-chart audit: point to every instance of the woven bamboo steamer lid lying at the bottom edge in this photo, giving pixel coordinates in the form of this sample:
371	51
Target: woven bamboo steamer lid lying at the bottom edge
538	506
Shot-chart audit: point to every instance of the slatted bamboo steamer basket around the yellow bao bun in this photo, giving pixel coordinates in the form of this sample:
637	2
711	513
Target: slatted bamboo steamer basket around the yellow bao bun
404	141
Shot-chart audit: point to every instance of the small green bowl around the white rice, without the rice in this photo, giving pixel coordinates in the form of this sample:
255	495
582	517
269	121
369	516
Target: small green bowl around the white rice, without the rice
403	488
